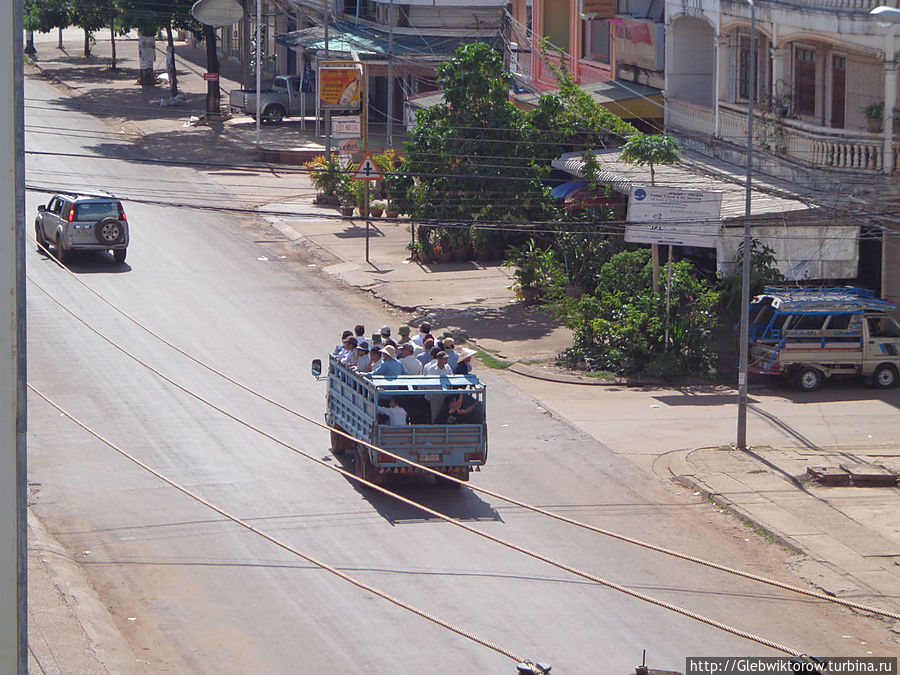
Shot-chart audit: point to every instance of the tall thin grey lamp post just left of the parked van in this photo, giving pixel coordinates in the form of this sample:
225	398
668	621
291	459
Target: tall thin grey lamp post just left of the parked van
744	347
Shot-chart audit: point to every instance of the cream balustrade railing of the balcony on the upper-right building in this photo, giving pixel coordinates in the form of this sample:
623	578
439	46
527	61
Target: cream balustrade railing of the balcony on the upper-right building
811	146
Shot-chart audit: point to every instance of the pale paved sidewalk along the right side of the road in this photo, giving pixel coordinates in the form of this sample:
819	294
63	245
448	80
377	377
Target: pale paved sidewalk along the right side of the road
849	536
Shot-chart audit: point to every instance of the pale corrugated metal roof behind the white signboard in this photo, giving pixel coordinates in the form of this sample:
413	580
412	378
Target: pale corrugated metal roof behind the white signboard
623	176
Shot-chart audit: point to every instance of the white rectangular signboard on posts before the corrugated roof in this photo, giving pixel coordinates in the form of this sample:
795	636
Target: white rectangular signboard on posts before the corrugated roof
673	216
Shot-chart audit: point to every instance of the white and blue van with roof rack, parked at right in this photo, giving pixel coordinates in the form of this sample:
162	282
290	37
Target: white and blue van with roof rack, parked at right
808	334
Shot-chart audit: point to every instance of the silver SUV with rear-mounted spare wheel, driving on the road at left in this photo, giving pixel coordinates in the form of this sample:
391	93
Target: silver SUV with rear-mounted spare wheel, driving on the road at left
82	224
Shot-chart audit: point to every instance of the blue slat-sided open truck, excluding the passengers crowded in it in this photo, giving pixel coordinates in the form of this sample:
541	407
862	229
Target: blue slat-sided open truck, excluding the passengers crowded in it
454	445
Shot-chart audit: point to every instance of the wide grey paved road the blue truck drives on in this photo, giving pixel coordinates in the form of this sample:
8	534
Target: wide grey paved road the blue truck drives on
192	592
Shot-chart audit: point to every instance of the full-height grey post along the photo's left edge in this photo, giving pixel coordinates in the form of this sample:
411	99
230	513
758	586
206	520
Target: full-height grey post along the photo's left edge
13	549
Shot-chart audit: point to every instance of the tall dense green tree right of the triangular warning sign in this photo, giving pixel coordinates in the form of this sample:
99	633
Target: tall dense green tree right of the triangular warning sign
468	153
